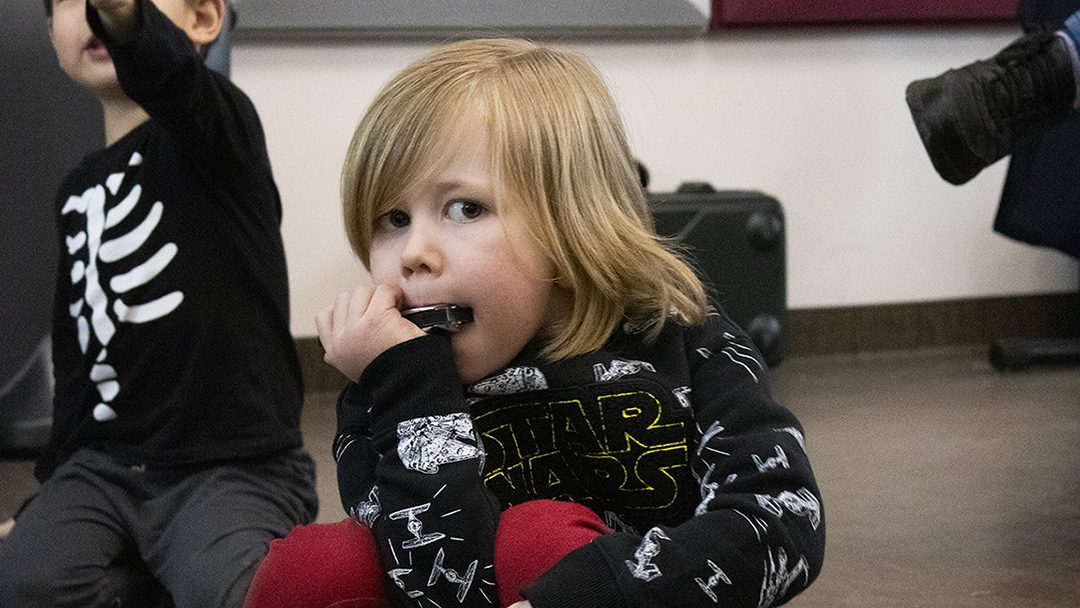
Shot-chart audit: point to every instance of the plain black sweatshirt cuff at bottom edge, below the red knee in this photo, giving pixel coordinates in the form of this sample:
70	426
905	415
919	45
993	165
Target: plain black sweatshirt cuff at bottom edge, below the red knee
582	578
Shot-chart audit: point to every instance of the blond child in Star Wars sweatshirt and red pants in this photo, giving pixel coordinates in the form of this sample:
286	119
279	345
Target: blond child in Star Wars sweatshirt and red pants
598	436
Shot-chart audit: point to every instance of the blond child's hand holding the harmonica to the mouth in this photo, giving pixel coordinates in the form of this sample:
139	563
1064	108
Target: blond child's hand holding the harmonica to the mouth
362	325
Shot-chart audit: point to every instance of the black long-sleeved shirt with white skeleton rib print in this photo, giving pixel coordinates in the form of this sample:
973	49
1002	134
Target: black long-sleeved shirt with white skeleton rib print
171	337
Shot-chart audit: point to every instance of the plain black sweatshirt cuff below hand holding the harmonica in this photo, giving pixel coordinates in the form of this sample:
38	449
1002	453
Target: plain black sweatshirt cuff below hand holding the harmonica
414	380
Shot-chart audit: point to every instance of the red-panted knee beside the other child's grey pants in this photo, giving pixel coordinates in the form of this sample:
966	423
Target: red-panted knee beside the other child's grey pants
321	566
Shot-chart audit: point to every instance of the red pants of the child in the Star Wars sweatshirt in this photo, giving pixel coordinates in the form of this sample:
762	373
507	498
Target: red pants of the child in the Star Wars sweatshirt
336	565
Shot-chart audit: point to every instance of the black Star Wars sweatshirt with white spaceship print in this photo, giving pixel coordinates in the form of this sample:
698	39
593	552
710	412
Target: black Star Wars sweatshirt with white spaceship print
678	445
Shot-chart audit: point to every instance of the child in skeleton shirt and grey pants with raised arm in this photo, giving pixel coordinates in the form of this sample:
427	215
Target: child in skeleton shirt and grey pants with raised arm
177	453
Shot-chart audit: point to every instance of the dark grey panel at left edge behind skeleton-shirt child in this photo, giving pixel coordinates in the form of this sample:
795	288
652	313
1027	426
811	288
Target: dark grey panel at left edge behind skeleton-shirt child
48	126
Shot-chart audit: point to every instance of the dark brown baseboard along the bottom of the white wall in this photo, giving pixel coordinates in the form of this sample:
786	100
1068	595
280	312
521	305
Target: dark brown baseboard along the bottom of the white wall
866	329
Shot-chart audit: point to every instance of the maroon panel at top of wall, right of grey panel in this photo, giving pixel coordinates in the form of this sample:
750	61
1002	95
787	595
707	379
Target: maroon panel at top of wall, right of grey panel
794	12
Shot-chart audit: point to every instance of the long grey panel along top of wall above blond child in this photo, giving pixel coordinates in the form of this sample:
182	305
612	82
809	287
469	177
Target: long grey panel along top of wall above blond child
439	19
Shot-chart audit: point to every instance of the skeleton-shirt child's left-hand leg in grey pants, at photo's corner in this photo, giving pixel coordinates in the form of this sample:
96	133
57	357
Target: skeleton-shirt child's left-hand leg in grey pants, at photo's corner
71	546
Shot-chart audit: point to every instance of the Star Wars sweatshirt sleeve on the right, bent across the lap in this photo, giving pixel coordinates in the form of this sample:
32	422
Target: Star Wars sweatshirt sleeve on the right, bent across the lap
758	537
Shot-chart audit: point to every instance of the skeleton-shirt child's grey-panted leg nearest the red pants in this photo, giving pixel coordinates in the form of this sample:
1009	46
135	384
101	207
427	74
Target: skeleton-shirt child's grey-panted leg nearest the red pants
207	531
